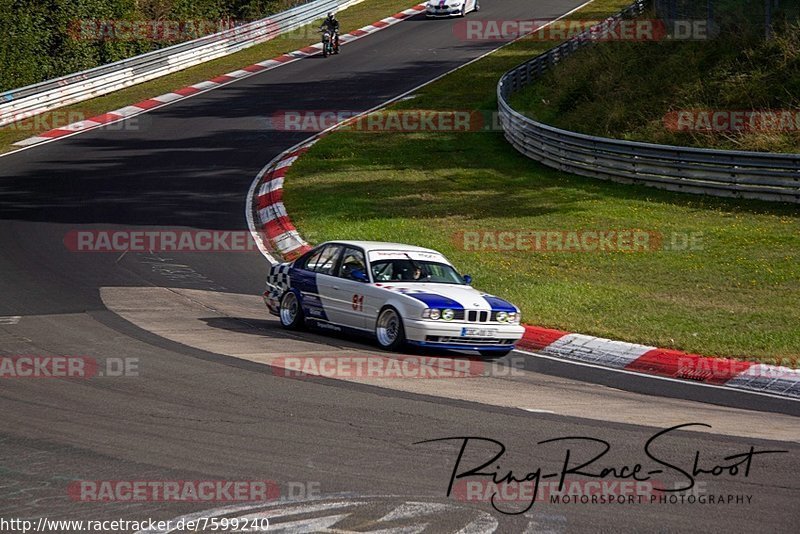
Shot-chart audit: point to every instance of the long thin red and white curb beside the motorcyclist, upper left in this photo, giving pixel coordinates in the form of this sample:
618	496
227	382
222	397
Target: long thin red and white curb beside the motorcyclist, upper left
202	87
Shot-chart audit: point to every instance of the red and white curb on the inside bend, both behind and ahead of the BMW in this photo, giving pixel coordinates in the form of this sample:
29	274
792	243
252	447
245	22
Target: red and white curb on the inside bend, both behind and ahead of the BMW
284	241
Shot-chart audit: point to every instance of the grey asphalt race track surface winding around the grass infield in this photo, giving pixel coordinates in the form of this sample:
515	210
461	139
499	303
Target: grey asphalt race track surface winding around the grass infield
204	406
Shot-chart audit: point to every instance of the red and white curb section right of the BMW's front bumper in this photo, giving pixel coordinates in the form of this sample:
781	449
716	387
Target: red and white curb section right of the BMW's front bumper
738	374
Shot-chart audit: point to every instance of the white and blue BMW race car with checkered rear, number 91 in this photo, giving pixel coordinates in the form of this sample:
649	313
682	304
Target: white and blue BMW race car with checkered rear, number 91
397	293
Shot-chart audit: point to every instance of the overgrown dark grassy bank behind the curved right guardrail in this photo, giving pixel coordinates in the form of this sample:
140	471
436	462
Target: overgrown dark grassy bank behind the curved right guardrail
649	80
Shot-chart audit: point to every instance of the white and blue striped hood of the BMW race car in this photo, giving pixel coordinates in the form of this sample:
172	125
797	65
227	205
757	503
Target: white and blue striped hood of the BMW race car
449	296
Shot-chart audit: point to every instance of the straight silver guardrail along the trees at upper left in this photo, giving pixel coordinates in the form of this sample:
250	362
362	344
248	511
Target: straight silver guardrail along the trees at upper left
31	100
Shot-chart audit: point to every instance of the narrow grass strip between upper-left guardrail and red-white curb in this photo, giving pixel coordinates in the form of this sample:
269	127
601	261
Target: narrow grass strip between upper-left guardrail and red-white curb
355	17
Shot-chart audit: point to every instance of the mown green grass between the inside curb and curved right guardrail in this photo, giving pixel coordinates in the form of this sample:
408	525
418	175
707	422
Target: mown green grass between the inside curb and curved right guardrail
736	296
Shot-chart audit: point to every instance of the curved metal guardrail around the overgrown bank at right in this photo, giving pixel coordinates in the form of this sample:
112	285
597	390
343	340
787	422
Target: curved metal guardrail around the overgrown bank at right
758	175
